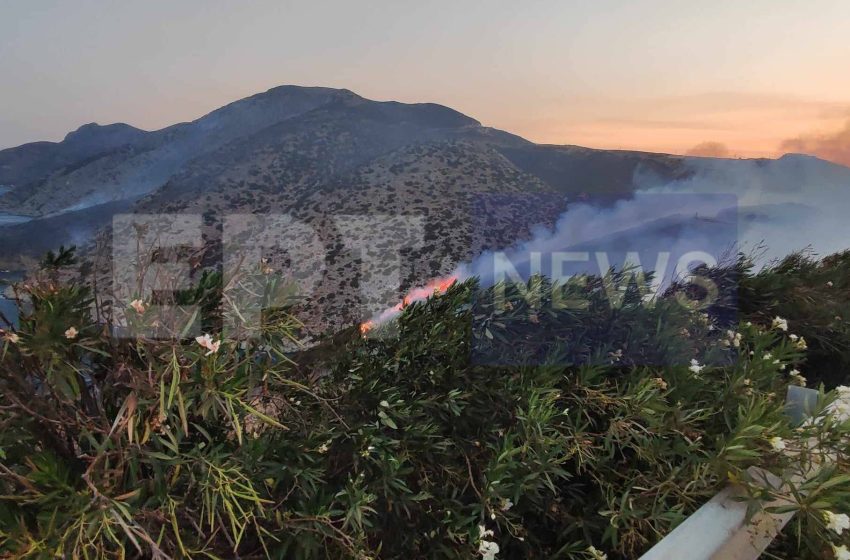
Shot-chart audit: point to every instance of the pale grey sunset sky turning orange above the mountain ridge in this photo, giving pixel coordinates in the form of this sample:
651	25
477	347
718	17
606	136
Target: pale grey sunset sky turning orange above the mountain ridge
723	78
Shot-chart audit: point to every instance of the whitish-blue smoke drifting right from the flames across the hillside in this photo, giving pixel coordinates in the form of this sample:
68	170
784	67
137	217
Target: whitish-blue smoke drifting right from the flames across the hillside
765	208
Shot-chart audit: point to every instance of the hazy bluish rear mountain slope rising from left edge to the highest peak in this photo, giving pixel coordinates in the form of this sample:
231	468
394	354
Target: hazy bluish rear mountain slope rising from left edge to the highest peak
98	164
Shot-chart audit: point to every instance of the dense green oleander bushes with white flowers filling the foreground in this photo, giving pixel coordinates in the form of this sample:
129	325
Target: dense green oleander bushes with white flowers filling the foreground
524	421
